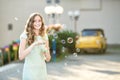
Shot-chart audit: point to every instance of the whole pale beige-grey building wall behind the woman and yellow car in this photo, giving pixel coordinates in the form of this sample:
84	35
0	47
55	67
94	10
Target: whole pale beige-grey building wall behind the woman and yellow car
105	15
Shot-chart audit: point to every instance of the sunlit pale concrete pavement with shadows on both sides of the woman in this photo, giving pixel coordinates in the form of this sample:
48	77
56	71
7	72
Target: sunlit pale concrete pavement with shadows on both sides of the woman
74	67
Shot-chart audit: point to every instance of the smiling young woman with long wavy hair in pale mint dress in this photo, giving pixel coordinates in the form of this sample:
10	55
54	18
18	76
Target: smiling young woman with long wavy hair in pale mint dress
34	48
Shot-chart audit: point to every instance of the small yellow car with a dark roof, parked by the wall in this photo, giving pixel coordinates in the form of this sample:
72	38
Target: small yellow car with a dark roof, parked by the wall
91	40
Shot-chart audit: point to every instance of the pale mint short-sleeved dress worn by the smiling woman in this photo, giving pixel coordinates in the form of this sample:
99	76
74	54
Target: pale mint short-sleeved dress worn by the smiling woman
35	65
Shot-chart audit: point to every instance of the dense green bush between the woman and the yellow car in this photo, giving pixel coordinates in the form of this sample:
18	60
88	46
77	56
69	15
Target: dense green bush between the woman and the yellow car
69	46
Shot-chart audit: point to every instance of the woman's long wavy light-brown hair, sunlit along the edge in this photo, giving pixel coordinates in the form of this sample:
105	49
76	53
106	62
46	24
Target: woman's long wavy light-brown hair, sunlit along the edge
29	28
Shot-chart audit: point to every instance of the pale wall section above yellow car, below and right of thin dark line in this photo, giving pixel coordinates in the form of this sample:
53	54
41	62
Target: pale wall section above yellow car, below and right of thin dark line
107	18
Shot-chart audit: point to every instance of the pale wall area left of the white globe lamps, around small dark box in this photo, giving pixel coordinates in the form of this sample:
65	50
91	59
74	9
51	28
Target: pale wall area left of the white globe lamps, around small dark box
9	9
